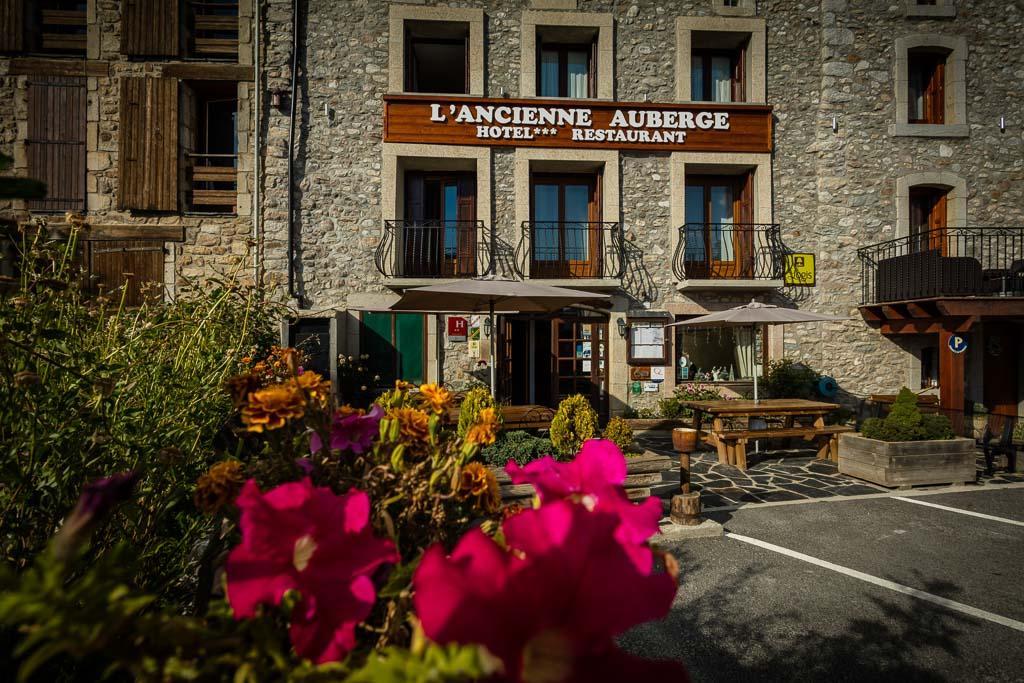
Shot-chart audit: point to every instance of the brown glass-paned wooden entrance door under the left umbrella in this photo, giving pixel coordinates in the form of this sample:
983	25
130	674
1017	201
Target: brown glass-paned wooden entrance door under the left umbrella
580	362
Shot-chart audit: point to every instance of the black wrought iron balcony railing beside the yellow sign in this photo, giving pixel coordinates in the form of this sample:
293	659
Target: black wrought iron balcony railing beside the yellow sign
730	251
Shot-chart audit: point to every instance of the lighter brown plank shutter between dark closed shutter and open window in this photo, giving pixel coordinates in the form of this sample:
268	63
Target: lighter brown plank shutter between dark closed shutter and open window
149	148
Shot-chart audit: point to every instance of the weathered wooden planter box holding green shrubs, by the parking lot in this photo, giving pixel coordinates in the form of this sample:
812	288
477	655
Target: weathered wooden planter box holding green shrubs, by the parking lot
907	463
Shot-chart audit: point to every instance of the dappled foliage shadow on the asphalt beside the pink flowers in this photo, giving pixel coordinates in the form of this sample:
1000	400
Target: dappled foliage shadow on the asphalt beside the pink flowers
718	631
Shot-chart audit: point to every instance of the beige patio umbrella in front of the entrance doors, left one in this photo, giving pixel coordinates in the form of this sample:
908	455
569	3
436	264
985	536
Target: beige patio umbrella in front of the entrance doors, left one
493	295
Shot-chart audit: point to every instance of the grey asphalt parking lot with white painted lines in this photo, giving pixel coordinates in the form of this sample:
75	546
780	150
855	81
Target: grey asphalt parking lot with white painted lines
854	590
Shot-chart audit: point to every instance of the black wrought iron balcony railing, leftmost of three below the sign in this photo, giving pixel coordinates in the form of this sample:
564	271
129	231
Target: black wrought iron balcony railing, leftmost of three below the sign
436	249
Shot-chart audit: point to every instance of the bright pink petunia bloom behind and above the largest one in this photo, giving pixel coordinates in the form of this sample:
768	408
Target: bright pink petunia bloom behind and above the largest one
595	479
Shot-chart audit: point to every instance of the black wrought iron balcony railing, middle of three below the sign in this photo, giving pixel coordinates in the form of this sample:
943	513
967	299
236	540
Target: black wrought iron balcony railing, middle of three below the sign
572	250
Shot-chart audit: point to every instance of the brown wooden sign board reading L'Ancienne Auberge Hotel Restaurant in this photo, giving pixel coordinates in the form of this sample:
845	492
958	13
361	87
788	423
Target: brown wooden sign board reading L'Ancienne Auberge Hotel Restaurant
585	124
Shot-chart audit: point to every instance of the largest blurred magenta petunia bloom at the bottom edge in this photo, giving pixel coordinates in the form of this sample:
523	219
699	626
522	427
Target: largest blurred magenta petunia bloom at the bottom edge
550	607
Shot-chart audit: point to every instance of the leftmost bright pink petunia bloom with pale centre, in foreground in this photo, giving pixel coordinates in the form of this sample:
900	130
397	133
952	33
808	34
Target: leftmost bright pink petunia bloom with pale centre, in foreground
298	537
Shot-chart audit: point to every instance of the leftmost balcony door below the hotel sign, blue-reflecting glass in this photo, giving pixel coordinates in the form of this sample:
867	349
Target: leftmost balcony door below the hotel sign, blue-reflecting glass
439	238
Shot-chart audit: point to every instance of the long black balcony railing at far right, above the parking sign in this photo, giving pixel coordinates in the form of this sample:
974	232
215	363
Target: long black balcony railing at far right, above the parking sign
943	263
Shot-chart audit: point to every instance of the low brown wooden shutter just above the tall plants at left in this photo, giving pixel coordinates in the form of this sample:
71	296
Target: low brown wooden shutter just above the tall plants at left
137	264
